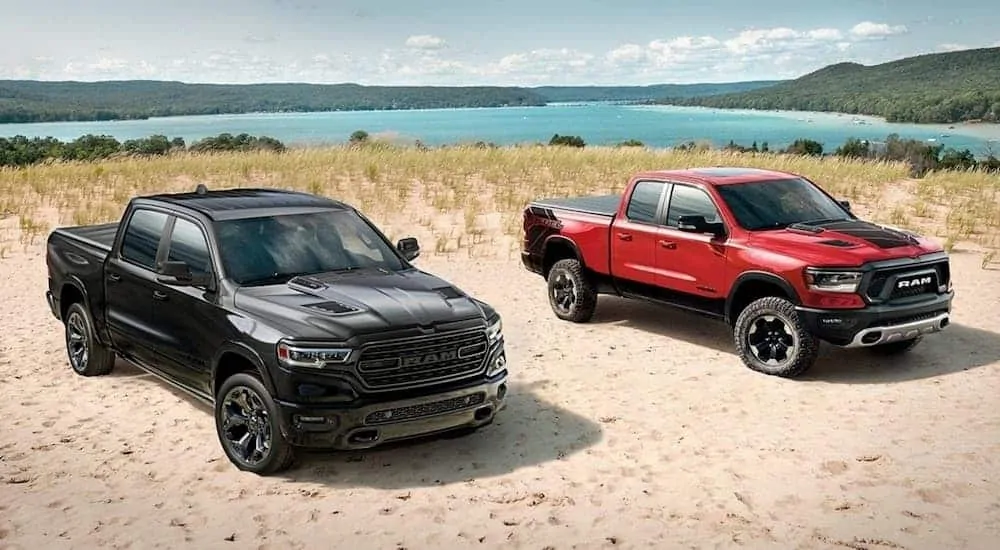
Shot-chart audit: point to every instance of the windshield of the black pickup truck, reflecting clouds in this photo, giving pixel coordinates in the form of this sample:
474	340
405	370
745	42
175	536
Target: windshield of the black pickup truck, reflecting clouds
274	249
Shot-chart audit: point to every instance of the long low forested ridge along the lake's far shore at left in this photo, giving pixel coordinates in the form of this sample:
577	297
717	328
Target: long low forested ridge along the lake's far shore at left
45	101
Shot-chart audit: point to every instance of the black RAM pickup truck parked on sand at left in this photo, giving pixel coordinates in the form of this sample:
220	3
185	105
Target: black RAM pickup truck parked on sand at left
291	314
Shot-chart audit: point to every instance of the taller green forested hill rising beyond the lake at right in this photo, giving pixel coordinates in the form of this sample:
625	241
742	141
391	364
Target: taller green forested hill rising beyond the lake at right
933	88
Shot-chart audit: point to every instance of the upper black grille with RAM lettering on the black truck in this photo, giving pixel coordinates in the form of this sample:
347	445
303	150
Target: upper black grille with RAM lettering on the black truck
422	360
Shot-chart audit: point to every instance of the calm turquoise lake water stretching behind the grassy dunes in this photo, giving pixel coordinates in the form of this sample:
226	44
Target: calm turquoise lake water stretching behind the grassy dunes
598	124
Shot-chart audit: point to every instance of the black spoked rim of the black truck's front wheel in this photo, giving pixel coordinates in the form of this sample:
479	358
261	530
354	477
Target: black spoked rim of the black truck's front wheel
246	426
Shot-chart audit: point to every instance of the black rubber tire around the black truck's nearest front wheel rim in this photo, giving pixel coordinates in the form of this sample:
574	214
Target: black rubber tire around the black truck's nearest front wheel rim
280	454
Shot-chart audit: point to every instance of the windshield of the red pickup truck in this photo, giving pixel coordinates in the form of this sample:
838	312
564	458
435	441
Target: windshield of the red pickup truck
775	204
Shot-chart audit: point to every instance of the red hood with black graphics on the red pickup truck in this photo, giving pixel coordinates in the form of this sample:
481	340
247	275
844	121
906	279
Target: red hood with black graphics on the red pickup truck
843	243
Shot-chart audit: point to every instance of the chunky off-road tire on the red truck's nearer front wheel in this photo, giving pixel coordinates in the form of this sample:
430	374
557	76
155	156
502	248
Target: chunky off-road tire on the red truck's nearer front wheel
802	346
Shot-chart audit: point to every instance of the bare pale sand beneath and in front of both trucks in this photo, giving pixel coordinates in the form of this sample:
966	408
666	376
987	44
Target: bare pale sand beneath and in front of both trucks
640	429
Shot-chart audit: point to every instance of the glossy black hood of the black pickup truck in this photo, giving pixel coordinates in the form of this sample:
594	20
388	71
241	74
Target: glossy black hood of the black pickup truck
339	306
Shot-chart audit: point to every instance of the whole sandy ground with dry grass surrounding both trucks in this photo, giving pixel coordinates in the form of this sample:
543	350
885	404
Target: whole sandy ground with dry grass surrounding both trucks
640	429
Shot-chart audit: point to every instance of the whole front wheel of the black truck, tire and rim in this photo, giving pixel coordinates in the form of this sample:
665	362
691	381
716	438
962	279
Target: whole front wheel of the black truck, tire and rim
246	421
